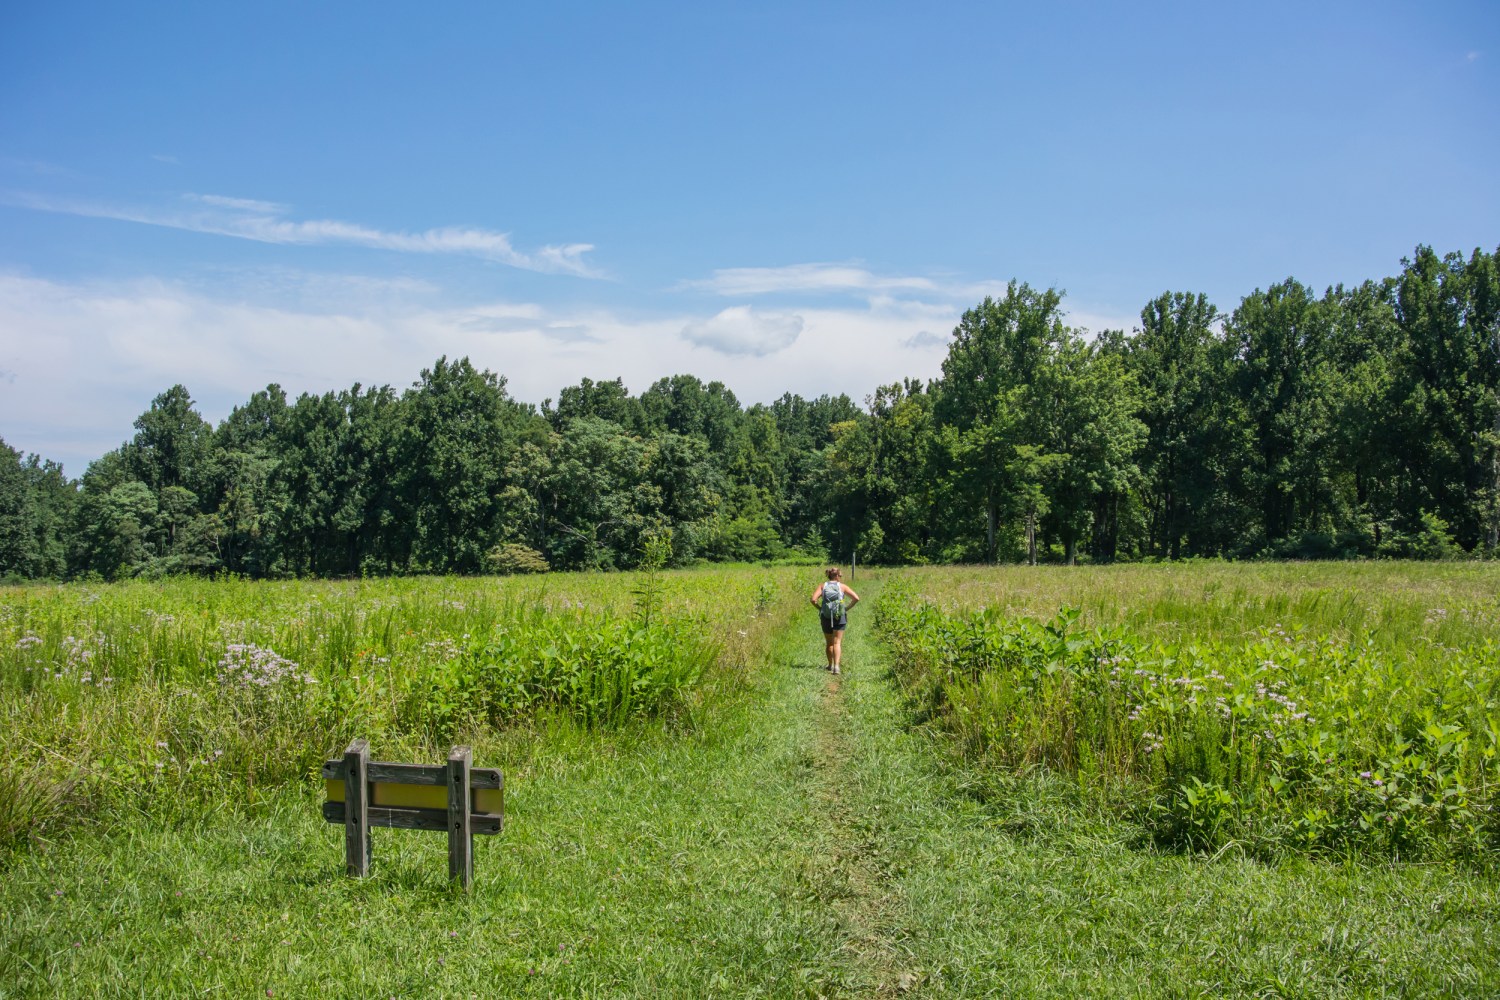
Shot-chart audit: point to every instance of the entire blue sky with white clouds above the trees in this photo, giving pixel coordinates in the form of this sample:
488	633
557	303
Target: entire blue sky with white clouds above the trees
785	197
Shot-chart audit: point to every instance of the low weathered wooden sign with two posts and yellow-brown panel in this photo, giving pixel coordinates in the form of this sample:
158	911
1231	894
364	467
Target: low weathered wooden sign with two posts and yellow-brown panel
457	797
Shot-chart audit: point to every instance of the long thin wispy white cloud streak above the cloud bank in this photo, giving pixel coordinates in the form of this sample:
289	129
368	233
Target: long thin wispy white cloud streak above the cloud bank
271	223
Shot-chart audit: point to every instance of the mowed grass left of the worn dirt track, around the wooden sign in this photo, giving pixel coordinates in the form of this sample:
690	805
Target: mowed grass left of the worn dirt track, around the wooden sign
635	863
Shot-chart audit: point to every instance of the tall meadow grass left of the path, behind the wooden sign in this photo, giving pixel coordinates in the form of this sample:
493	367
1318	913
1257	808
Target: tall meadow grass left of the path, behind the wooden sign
188	695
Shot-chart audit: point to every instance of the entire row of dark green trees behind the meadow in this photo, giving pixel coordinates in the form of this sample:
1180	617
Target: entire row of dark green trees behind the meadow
1364	422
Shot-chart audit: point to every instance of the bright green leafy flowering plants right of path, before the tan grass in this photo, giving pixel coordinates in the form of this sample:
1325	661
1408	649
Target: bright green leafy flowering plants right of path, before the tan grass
1277	741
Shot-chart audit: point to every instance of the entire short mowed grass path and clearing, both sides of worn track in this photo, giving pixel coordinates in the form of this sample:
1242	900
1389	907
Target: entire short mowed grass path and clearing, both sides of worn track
800	839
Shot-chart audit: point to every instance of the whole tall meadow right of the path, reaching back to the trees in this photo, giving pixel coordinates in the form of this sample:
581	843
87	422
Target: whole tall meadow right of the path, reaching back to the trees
1289	713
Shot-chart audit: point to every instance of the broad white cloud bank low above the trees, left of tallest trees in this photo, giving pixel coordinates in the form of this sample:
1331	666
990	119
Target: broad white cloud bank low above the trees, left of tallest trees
83	361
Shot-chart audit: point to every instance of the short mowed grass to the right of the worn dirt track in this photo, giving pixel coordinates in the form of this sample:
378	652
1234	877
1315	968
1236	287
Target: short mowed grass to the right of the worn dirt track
1028	894
